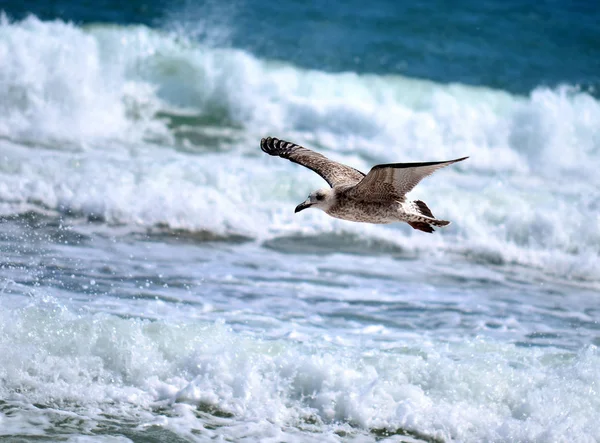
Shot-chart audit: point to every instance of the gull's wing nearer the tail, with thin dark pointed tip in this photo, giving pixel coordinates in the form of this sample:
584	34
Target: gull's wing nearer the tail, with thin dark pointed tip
394	180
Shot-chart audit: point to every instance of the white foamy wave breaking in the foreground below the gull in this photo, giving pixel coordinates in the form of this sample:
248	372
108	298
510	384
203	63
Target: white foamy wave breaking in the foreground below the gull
59	367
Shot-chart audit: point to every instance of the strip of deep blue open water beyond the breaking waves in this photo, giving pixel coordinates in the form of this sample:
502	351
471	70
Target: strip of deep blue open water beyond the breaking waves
513	45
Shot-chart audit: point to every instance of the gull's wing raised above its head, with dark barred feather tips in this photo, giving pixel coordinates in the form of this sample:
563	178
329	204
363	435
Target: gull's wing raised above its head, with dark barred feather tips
334	173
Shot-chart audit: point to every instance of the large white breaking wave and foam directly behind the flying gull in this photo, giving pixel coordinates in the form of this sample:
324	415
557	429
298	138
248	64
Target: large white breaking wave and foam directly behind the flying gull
146	128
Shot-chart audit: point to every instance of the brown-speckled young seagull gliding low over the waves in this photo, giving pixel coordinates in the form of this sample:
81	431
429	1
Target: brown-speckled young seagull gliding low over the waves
378	197
